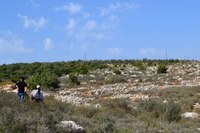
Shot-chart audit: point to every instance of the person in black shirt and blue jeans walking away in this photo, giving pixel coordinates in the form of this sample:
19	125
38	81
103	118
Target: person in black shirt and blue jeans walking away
21	89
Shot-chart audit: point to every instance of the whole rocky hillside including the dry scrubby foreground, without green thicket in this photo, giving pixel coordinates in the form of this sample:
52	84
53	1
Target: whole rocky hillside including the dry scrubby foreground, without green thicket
121	97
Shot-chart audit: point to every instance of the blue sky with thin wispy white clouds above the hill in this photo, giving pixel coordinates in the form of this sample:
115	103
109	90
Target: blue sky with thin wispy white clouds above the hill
65	30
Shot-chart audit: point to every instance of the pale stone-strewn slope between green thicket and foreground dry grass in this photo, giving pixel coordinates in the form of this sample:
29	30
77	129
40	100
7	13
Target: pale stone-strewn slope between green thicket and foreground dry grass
130	84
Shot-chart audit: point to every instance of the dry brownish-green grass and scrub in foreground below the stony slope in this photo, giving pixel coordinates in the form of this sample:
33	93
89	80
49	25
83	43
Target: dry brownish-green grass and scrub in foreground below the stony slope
116	115
